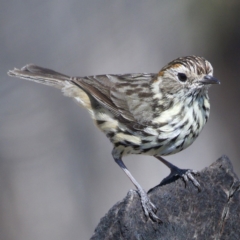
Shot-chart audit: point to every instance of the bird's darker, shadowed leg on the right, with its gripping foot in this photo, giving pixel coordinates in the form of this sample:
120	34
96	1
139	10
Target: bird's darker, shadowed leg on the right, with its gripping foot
186	174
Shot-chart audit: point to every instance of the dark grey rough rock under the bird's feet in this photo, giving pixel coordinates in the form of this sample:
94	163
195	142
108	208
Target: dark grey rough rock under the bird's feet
186	213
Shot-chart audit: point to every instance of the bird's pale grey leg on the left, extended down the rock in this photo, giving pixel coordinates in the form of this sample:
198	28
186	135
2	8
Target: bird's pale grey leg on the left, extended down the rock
148	206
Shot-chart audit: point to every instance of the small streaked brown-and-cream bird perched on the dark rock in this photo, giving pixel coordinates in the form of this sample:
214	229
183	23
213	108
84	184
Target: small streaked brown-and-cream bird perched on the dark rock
155	114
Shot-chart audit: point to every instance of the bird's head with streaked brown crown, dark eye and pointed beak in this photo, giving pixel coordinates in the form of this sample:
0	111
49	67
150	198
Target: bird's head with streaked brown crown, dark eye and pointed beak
188	74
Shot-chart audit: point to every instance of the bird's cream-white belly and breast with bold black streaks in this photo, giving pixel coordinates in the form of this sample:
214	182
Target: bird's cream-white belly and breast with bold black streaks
173	137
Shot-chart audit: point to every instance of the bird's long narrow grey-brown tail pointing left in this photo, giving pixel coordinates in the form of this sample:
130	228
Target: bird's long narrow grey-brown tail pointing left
40	75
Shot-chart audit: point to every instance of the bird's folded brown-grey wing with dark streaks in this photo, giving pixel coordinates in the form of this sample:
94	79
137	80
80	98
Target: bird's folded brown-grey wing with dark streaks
128	95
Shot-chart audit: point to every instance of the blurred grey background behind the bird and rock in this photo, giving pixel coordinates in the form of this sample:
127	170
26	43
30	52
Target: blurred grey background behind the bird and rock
57	176
